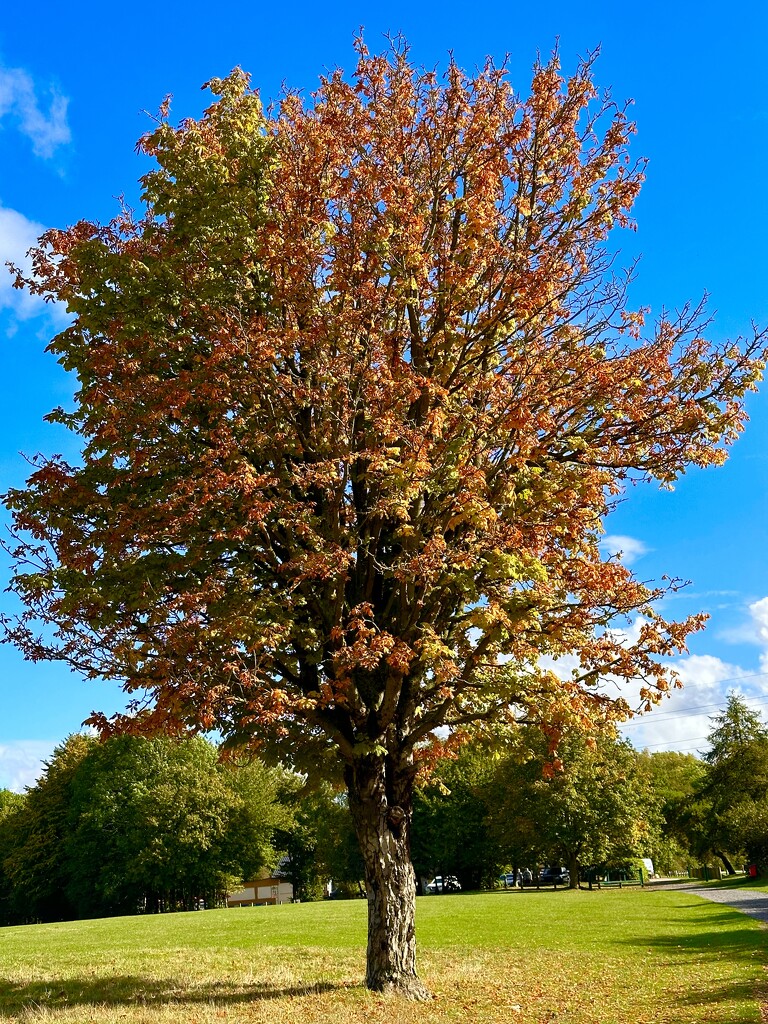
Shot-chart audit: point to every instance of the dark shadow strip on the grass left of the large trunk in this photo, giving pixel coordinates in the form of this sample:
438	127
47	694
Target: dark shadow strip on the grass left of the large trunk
135	991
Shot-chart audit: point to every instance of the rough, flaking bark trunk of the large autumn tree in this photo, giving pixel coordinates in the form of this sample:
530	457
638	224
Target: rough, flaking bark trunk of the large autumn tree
381	799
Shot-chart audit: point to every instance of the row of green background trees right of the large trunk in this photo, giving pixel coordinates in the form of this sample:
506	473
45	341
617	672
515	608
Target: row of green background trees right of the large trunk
603	806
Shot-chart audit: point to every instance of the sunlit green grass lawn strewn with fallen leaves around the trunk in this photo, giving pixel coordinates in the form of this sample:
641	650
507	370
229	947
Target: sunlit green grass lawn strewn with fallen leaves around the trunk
619	957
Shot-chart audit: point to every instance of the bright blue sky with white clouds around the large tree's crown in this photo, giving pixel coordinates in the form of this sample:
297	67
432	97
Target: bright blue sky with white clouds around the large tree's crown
75	80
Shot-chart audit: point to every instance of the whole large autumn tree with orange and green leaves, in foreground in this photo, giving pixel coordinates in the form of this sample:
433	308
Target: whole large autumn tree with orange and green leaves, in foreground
357	390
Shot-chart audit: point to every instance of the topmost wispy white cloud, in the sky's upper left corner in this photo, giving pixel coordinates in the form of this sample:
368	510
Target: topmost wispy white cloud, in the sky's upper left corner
47	130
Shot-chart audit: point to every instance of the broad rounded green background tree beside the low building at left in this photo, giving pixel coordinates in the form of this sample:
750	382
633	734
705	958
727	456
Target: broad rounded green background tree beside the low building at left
160	825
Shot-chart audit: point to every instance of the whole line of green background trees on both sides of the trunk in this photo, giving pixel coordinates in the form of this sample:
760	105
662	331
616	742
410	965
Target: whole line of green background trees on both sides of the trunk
141	826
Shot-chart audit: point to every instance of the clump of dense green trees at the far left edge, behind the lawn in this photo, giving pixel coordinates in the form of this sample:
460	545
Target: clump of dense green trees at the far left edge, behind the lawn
135	826
